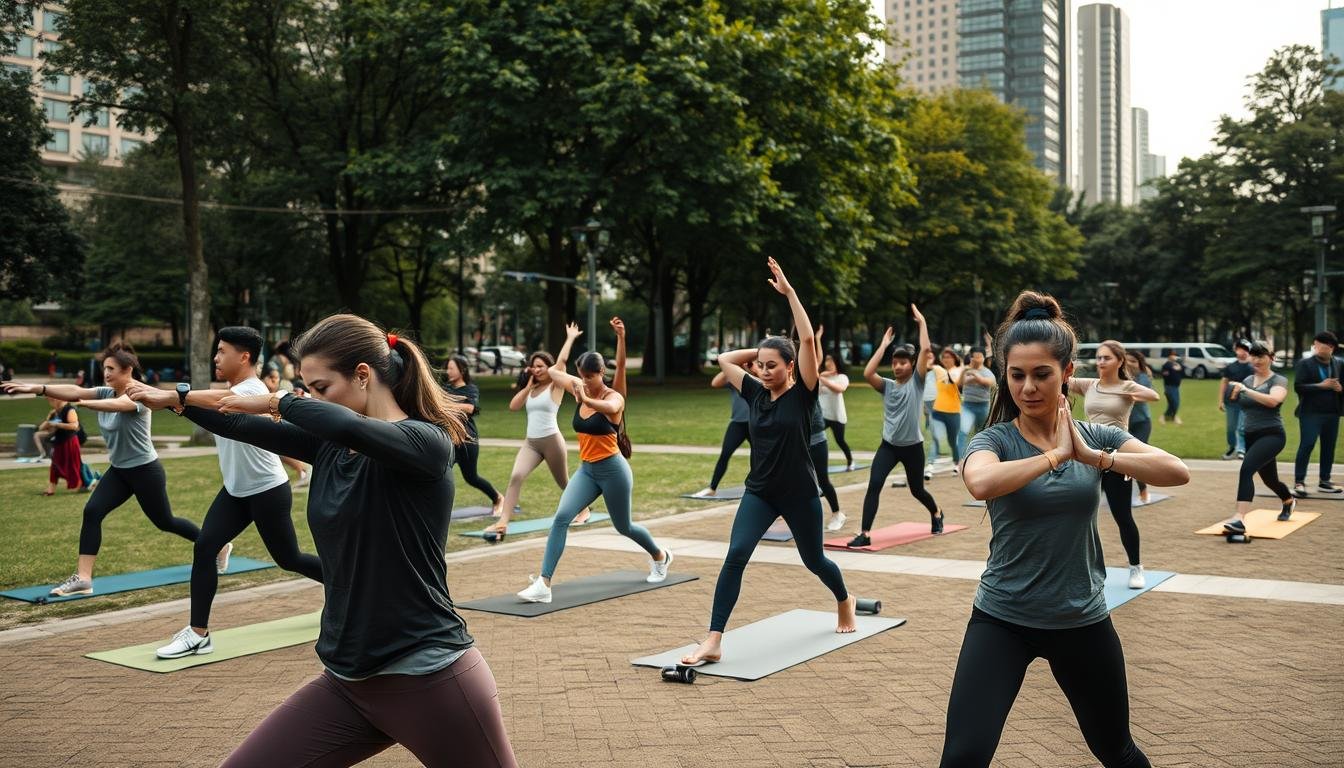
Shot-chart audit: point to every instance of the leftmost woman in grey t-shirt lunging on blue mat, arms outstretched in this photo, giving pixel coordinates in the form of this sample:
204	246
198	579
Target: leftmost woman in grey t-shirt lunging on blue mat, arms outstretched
135	463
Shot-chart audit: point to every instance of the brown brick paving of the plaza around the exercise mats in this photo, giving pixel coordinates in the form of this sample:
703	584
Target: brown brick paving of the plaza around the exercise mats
1214	681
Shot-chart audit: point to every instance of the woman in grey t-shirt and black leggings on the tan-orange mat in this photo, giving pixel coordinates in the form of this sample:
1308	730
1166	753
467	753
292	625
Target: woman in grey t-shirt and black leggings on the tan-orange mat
1261	397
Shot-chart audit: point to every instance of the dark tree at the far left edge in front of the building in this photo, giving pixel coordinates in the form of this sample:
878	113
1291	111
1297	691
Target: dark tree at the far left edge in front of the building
41	255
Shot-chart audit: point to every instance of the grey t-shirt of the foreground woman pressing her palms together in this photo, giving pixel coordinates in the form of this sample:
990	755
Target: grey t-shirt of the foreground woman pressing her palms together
1046	568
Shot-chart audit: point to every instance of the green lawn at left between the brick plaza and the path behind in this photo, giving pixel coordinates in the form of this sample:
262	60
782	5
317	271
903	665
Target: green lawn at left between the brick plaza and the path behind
42	535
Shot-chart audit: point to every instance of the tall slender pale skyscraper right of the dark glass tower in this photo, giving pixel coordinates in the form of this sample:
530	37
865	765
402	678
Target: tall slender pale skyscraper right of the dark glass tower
1105	120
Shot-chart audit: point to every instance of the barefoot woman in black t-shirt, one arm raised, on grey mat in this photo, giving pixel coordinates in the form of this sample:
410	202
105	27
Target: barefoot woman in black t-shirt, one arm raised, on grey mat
783	481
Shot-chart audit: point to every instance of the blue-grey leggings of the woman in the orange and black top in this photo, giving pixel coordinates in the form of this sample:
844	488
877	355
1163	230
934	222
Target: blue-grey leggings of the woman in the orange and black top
611	479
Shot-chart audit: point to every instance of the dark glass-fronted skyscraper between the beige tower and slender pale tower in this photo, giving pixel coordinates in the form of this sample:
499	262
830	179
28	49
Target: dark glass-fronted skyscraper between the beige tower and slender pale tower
1018	49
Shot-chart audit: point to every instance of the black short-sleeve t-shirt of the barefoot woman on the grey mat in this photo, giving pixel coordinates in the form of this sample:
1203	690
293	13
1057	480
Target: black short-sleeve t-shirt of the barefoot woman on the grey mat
782	431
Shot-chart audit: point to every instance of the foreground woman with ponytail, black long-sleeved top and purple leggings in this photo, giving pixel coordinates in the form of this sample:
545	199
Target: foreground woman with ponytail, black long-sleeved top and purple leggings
400	665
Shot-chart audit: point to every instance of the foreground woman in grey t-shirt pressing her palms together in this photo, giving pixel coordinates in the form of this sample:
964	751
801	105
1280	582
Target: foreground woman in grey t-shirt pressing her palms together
1042	594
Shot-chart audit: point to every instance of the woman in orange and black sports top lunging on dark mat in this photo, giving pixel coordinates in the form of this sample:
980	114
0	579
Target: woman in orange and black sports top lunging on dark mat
604	471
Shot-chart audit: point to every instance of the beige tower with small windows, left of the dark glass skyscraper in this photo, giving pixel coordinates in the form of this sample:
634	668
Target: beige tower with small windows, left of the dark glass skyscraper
929	30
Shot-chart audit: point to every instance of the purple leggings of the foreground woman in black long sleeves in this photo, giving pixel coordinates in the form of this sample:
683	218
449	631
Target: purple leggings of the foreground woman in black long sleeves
451	718
